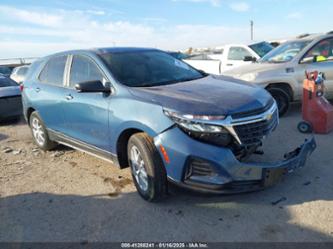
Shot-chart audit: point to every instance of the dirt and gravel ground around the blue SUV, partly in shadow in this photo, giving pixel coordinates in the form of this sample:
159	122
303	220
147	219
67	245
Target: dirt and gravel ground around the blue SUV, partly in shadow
64	195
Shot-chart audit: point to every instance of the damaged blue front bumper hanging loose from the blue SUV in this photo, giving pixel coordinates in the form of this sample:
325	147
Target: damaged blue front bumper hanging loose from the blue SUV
208	168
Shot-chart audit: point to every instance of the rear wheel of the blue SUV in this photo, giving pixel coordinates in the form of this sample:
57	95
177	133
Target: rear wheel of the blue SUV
39	133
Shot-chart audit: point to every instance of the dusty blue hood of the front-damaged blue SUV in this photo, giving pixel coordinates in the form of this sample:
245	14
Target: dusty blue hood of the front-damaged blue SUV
212	95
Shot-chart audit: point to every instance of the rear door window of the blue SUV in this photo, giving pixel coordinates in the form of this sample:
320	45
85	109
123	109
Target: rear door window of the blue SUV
53	72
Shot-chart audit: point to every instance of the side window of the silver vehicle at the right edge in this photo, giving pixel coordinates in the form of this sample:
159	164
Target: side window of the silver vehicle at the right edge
320	52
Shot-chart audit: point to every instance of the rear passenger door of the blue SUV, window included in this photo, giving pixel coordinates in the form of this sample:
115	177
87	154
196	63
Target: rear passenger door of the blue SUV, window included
48	93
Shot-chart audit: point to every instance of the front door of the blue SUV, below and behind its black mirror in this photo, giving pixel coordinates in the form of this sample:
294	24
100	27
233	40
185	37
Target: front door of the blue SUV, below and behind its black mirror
86	114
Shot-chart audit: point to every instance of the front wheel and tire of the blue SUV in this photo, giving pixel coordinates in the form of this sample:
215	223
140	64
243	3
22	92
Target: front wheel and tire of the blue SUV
147	168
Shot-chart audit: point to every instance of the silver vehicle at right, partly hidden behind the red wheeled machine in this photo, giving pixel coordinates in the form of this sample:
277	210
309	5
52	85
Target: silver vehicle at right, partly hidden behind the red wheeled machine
282	70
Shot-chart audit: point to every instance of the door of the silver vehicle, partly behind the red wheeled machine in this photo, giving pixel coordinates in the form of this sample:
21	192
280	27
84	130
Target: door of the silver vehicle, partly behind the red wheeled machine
320	58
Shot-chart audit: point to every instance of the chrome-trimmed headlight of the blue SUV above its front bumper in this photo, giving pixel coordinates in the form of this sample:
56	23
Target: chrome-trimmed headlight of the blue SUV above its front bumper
195	127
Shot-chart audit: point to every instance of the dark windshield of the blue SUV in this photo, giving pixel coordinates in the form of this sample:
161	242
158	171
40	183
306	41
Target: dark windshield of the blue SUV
148	68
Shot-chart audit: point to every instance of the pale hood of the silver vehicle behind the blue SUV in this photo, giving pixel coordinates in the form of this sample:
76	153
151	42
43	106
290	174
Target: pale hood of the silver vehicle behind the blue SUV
254	68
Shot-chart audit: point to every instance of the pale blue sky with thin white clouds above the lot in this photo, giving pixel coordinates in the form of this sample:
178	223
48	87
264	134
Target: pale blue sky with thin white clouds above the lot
33	28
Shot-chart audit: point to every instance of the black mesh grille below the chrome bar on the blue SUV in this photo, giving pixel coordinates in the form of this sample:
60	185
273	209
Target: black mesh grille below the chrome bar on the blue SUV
254	132
